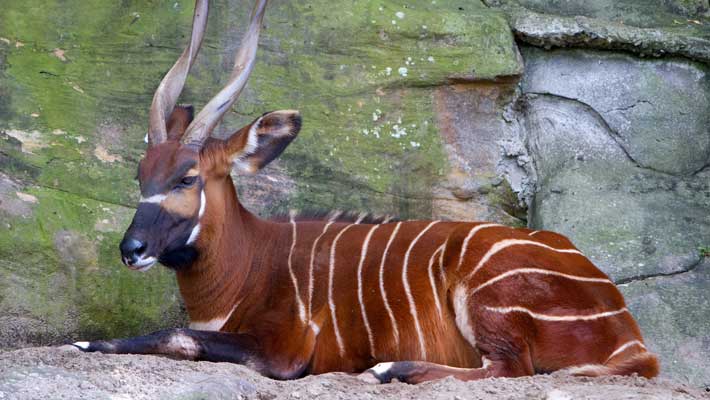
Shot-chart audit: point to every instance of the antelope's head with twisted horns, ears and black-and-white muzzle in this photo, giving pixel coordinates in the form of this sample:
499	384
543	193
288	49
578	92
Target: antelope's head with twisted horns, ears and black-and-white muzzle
182	161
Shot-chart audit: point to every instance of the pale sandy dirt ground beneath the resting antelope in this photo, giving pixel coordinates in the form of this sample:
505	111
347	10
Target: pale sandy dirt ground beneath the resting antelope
56	373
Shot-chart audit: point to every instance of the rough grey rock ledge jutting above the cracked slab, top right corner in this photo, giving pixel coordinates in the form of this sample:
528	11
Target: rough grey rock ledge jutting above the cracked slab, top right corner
644	27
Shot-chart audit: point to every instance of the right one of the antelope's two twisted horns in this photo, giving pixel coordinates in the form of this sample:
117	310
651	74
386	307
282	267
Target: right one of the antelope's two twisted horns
212	113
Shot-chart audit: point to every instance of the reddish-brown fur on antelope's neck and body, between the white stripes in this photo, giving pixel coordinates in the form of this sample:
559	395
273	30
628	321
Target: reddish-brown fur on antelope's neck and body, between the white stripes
268	308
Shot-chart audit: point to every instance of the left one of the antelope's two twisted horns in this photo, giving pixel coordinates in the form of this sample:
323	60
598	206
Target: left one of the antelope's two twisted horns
170	87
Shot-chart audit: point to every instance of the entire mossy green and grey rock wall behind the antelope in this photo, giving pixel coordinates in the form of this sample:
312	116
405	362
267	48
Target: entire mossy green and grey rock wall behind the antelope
588	118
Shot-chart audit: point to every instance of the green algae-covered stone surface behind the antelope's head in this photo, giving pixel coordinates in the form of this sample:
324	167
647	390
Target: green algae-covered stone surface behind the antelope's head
76	81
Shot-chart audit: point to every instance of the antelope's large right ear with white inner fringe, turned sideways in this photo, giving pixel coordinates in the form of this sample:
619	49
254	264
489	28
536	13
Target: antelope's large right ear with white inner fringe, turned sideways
255	145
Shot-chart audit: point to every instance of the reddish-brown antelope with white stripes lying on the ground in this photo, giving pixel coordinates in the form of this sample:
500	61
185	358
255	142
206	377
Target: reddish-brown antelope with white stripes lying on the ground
415	300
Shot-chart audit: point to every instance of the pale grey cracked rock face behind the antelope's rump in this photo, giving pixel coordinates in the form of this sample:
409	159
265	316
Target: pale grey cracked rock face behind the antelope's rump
620	177
